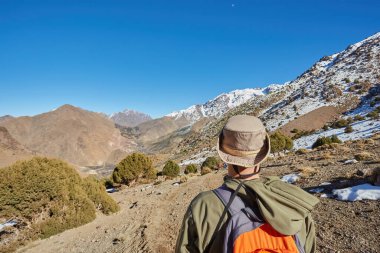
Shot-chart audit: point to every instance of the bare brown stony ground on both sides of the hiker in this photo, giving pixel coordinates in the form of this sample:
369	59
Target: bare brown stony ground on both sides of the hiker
151	215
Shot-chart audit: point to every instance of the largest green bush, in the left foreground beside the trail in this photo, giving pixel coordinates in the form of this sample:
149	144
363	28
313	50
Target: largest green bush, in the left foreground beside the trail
49	196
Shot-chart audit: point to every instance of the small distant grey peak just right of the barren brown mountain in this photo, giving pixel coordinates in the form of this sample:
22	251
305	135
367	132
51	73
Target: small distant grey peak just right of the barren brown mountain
129	118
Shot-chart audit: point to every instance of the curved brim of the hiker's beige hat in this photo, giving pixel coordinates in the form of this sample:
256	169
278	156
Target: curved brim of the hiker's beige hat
248	161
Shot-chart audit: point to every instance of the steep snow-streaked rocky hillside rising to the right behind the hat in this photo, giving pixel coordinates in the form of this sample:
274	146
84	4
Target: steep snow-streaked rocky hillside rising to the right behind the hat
341	82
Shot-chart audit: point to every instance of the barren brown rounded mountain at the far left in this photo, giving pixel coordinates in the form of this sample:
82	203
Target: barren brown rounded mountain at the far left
76	135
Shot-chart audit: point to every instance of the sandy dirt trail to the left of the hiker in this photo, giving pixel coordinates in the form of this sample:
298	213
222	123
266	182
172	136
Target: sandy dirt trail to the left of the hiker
149	220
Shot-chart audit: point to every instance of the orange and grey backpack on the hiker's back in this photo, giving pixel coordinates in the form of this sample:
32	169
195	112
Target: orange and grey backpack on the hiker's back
246	230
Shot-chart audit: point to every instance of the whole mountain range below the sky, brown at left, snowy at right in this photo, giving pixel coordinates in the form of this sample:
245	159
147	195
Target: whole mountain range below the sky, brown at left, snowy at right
333	85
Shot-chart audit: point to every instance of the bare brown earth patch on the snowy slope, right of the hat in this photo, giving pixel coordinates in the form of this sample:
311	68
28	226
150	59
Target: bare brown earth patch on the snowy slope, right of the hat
313	120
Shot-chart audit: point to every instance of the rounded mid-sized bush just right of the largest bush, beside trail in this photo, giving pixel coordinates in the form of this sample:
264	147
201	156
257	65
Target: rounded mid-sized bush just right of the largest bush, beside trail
132	168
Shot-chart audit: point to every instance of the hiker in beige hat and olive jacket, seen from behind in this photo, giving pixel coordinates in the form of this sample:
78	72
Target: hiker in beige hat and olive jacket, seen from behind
244	144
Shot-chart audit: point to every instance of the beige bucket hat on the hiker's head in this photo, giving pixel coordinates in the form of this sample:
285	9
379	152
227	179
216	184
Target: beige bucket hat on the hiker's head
243	141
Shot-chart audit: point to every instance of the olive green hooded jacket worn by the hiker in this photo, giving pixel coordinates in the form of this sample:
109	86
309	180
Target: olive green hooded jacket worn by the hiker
284	206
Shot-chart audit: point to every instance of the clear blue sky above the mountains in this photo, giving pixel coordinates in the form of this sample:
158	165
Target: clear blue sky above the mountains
160	56
